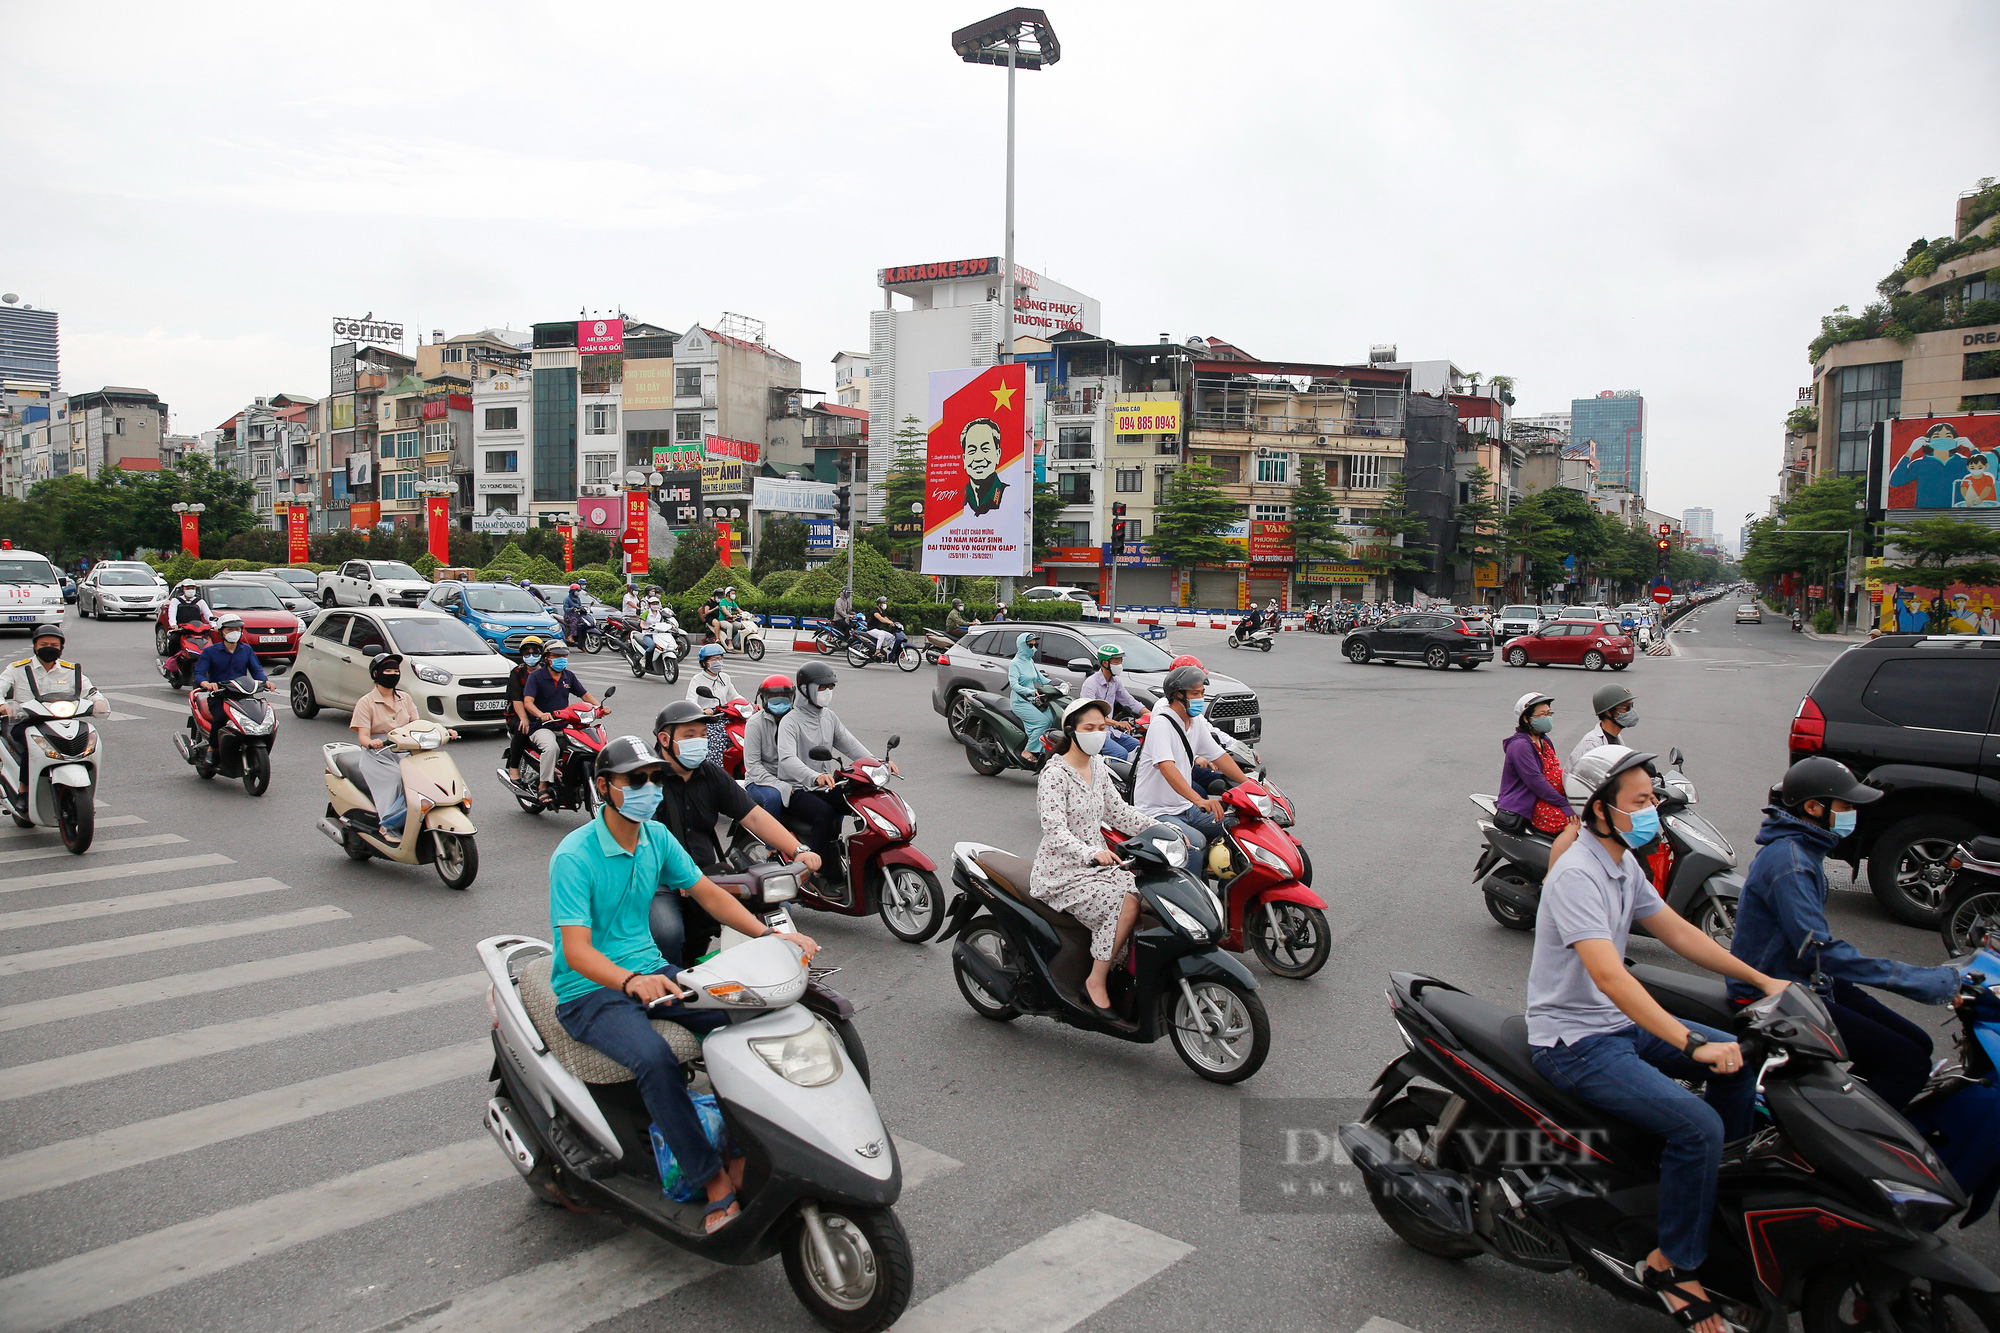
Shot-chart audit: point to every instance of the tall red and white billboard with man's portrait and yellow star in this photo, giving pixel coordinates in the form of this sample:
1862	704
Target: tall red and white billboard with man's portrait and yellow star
975	473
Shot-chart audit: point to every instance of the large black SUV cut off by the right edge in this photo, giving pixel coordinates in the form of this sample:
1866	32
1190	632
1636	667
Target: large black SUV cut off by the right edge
1913	716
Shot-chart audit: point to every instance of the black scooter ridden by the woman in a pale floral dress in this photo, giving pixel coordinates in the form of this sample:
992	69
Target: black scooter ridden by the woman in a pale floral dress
1013	954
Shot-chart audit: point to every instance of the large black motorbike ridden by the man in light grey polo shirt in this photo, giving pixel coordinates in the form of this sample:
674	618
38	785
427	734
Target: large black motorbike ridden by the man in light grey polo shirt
1827	1210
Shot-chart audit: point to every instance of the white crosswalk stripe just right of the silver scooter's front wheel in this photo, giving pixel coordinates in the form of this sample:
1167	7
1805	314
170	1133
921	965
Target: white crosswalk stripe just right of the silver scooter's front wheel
1051	1284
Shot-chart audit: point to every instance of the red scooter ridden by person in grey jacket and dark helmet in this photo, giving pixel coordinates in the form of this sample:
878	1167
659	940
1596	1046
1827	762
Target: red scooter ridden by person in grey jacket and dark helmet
877	868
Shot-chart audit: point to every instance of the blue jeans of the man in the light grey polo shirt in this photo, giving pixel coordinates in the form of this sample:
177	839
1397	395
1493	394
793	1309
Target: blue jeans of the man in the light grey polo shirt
1631	1074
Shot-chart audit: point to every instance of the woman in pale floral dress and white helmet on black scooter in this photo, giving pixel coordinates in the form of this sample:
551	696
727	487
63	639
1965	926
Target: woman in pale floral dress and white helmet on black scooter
1075	872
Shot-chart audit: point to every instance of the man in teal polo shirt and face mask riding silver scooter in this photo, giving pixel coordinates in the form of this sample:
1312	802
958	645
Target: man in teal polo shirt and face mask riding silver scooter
607	968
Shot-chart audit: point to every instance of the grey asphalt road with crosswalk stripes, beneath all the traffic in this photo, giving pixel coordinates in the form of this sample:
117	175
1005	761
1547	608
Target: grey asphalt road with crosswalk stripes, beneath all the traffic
295	1144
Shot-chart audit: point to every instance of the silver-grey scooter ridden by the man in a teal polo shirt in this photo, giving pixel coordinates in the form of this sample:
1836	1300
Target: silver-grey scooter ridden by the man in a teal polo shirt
823	1174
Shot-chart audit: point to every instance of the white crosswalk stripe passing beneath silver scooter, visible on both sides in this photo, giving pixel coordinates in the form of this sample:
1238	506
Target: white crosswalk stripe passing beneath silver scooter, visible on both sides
573	1294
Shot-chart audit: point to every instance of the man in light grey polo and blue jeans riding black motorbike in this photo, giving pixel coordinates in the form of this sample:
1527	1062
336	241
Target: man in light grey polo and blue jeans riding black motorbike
1597	1034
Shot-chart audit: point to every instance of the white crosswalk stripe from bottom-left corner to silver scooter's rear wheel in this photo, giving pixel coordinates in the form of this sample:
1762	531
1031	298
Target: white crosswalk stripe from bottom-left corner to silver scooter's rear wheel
163	1260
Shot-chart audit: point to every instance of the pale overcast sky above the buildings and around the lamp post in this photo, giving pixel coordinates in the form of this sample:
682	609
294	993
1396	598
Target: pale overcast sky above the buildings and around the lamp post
1583	197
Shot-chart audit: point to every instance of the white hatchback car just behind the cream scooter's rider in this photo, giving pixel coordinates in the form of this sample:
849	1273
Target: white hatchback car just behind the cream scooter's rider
453	676
